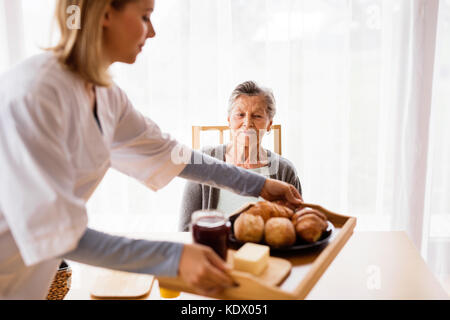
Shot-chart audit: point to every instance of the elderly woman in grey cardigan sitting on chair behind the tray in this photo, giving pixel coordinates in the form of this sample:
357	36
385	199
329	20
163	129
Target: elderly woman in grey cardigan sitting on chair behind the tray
250	114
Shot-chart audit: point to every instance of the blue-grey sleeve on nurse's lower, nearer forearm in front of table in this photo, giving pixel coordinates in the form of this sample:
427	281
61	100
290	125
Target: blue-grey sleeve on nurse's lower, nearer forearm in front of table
99	249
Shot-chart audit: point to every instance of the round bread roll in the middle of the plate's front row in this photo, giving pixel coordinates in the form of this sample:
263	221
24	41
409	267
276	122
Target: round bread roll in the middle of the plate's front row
279	232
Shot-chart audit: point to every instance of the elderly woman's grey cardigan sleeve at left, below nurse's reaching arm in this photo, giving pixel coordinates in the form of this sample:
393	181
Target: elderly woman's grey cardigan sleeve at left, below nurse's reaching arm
191	201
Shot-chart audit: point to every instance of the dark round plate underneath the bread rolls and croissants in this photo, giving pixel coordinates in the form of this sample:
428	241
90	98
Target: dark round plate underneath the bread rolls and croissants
298	246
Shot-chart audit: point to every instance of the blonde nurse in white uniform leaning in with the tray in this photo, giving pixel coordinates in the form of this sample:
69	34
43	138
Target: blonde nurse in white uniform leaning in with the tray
63	123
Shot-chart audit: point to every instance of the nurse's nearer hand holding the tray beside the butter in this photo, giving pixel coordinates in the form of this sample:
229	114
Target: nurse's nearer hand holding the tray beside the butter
201	268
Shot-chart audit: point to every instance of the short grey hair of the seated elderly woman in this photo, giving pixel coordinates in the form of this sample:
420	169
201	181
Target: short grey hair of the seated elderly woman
250	88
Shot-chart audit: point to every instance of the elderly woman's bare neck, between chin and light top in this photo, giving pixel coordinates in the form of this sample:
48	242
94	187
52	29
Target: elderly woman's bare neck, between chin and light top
248	157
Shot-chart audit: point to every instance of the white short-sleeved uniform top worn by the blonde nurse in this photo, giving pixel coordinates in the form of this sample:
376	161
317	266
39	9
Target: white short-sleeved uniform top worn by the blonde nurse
52	157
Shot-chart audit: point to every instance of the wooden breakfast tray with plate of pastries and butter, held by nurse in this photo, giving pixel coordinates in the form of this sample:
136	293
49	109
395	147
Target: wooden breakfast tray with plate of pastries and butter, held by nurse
279	253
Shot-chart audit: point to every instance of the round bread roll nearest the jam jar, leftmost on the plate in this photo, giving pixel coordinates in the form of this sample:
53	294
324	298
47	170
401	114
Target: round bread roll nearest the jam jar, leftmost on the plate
249	228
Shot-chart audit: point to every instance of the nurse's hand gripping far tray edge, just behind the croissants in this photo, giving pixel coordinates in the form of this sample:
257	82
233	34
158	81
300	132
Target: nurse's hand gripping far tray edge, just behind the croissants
281	192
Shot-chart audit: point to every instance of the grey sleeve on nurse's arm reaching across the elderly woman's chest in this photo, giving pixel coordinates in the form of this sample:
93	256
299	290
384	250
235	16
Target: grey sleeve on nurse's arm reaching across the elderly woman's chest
208	170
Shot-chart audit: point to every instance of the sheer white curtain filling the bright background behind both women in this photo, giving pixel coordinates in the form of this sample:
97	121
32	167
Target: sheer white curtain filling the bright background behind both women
362	95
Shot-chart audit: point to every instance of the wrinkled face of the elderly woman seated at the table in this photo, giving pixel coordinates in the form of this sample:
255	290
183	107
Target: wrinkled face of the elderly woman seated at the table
249	120
